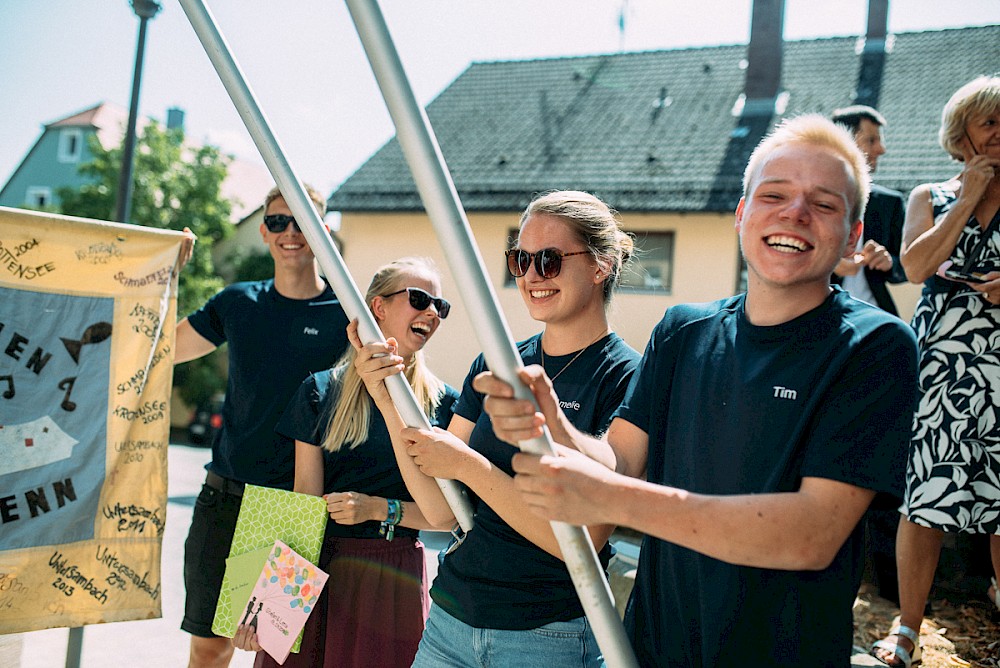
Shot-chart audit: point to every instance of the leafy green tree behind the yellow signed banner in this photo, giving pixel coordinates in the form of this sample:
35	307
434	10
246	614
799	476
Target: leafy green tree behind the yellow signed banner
176	185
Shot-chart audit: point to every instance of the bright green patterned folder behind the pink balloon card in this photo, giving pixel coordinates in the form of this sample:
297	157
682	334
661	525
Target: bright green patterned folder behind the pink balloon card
266	515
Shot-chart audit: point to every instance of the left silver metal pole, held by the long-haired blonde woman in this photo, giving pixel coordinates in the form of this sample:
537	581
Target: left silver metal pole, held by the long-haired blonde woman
311	225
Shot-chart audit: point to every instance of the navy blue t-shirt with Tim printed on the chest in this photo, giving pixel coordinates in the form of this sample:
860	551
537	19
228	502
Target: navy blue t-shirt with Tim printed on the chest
733	408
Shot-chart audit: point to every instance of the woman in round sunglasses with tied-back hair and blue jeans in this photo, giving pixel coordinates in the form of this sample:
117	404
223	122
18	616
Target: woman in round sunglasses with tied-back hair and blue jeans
503	596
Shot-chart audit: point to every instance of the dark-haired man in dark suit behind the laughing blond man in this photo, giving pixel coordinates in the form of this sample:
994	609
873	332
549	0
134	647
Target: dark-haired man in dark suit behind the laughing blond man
876	259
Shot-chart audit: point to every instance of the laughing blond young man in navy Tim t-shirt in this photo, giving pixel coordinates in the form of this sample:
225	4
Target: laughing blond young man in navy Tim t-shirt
745	447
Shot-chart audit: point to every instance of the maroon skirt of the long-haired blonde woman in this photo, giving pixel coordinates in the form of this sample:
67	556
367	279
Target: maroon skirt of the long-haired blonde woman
372	611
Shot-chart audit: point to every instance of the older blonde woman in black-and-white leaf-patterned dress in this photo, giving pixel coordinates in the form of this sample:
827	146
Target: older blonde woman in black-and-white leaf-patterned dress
953	478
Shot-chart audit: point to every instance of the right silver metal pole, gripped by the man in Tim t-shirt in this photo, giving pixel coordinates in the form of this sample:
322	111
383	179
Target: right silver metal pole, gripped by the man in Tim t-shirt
437	191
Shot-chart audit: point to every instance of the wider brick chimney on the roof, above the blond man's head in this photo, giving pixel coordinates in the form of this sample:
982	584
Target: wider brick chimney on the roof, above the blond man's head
763	80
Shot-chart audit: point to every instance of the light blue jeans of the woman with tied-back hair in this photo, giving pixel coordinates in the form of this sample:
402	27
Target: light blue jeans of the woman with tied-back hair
449	642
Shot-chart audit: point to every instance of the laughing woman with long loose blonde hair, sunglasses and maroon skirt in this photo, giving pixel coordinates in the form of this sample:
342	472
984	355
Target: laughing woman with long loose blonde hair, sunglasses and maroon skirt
373	610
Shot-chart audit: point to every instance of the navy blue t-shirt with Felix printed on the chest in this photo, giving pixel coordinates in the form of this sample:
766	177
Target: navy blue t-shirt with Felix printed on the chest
274	344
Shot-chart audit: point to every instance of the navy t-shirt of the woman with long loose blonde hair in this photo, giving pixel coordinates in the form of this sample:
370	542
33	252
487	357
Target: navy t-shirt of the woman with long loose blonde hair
369	467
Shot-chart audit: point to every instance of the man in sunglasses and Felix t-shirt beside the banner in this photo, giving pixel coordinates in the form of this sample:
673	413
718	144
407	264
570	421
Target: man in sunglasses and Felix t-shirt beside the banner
279	331
